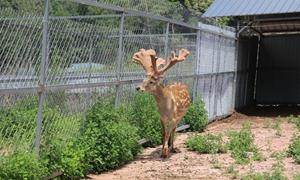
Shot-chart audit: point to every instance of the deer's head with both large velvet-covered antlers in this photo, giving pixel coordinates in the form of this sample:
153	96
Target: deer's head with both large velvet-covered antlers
155	67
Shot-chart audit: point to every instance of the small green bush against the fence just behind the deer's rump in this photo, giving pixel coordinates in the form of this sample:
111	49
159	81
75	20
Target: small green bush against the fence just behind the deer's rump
196	116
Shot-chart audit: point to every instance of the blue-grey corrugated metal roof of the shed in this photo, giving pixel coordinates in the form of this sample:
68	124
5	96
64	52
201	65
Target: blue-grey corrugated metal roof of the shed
251	7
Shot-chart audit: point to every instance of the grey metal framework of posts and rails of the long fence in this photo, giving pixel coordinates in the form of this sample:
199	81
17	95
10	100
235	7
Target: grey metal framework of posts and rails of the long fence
196	75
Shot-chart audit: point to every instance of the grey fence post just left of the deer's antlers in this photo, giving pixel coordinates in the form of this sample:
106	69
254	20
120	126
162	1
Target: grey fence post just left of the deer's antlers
119	60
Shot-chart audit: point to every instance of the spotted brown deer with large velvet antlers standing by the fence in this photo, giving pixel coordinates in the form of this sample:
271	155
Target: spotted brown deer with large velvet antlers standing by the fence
172	100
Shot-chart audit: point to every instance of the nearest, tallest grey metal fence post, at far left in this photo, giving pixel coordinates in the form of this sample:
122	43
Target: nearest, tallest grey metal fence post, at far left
41	91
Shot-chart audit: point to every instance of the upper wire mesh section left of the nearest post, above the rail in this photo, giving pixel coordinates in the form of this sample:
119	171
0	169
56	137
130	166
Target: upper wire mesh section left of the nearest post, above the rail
20	40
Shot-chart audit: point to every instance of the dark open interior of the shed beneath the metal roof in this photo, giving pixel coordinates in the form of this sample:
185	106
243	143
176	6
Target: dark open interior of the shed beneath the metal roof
268	63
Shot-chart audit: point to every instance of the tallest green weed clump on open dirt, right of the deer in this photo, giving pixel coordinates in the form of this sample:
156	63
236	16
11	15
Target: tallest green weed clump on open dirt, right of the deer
241	143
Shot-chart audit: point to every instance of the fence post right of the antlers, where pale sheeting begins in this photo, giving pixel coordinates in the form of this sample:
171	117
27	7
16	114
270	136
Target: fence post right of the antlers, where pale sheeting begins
198	49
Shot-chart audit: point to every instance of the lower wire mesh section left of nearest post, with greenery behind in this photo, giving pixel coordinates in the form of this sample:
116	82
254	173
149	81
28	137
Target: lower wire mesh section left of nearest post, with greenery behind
18	114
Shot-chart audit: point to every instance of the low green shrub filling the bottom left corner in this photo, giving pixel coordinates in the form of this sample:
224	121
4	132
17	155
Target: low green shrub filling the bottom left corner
21	166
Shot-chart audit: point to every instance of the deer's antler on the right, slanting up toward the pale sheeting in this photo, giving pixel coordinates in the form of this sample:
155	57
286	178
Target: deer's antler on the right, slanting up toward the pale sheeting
183	53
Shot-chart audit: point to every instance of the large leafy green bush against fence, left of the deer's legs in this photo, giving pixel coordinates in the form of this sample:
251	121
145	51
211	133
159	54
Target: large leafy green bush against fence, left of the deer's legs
109	138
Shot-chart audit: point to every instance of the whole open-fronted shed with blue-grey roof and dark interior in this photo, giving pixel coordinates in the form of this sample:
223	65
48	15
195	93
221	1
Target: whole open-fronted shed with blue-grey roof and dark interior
268	36
